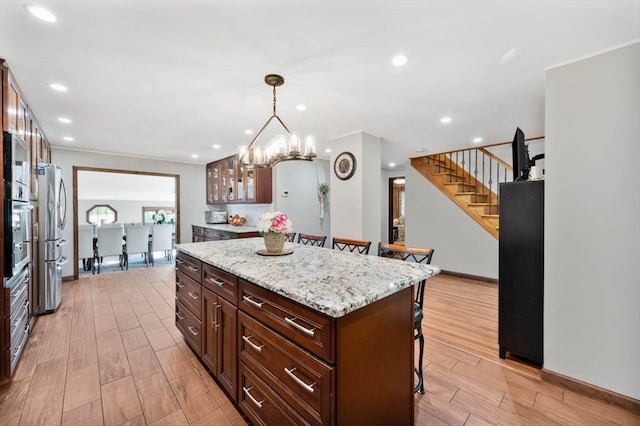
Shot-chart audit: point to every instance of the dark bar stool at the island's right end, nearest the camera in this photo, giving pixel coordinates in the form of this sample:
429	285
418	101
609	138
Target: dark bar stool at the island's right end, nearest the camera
418	255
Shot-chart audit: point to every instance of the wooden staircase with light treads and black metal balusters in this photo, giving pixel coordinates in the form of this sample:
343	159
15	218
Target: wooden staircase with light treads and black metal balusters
470	178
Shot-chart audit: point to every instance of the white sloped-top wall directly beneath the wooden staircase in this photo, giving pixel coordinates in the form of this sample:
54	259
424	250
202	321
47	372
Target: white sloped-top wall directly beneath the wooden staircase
433	220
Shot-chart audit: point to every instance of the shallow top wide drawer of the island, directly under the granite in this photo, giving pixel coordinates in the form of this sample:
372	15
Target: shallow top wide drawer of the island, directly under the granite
309	329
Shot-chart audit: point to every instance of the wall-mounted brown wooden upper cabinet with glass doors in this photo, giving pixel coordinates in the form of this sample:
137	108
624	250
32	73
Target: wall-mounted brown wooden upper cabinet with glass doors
229	182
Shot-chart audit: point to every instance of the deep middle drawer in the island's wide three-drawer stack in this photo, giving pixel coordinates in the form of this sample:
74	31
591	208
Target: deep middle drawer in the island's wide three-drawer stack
302	380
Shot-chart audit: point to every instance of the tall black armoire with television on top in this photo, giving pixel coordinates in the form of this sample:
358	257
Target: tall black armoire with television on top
521	269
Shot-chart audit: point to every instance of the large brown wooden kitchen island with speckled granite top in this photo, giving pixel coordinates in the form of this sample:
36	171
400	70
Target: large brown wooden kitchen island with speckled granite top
318	336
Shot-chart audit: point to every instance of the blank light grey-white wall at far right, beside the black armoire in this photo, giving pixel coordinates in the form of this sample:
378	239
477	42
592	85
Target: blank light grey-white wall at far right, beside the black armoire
592	221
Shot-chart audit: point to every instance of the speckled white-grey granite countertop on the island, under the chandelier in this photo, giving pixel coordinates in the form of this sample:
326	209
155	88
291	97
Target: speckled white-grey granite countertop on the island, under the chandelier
329	281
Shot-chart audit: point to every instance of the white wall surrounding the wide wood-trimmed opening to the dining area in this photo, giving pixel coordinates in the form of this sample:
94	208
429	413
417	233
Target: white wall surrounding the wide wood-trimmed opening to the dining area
192	187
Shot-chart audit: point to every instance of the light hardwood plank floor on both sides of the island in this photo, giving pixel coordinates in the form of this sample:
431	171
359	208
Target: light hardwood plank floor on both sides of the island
112	355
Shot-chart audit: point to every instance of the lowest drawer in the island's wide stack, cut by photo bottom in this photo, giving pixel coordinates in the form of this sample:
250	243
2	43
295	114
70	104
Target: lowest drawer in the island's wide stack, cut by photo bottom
261	404
